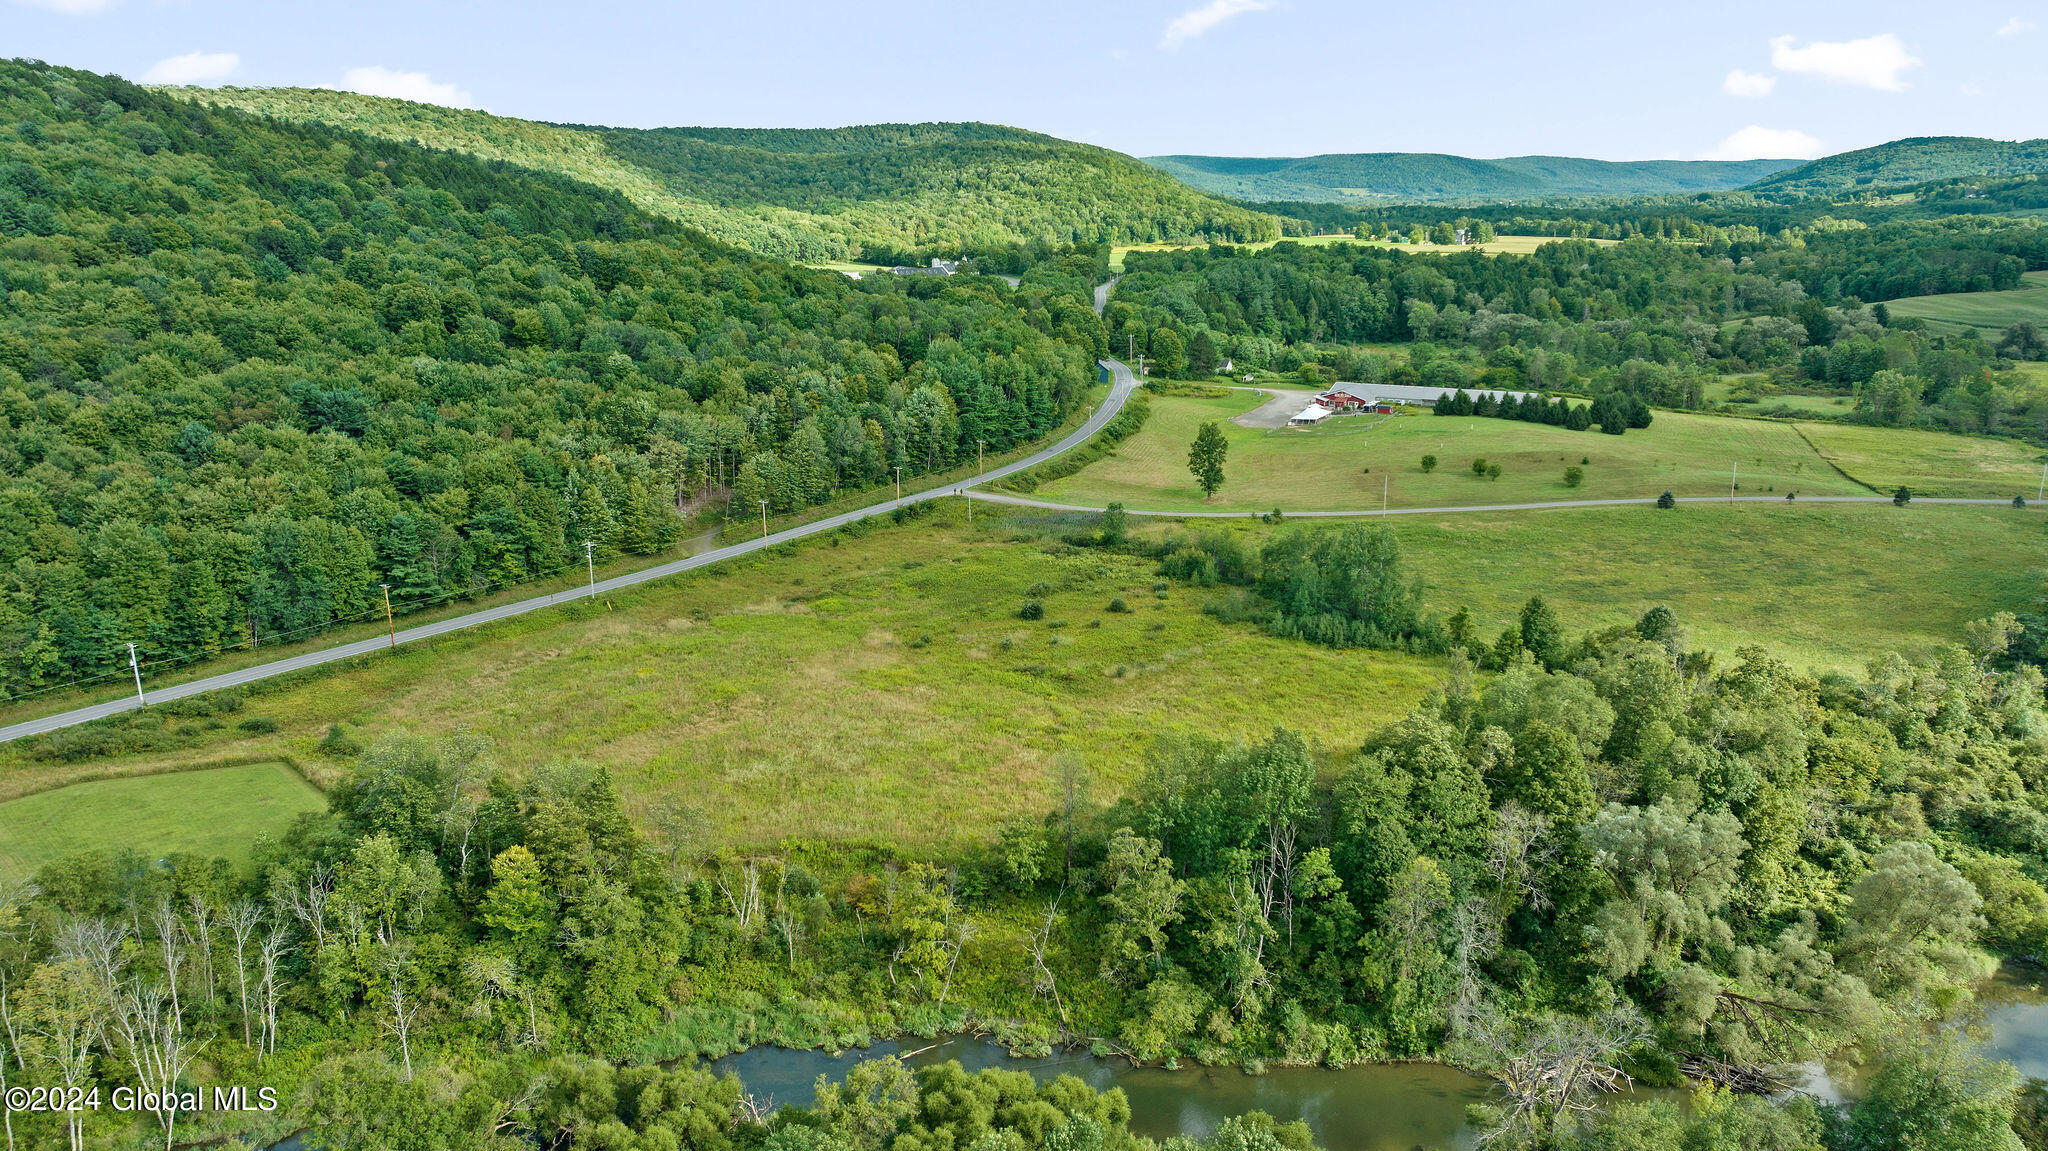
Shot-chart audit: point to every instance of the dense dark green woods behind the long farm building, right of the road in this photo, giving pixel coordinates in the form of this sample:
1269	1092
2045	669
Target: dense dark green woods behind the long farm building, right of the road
1646	318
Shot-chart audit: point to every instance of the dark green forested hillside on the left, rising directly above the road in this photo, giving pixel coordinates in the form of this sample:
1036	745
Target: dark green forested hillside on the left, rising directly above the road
251	370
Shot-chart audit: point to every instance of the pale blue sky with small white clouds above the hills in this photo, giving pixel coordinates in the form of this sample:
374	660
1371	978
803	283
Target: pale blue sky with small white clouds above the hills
1615	81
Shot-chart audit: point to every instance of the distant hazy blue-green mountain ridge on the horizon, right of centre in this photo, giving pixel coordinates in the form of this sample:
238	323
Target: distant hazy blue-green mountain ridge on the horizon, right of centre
1428	177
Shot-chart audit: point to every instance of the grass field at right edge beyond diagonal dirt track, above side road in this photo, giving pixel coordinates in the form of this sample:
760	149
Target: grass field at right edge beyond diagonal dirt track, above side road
1930	464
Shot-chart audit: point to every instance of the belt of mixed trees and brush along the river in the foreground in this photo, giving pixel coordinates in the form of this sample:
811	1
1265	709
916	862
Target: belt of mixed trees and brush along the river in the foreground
1613	859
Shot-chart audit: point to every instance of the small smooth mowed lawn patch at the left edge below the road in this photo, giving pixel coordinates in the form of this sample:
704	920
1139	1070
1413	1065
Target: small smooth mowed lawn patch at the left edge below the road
212	812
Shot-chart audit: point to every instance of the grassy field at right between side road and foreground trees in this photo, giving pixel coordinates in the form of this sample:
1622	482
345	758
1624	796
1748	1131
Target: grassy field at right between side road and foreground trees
1820	585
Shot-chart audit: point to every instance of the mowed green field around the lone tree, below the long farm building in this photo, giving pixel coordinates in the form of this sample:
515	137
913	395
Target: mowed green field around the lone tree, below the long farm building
1316	470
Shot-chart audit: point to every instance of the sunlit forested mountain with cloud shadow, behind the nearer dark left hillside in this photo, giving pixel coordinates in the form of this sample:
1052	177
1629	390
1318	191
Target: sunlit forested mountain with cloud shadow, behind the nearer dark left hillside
816	194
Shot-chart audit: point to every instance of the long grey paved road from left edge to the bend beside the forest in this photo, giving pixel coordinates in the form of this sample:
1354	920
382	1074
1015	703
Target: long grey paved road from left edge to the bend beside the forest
1121	386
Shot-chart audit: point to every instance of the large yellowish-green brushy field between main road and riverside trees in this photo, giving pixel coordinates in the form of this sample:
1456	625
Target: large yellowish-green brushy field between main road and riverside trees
798	693
